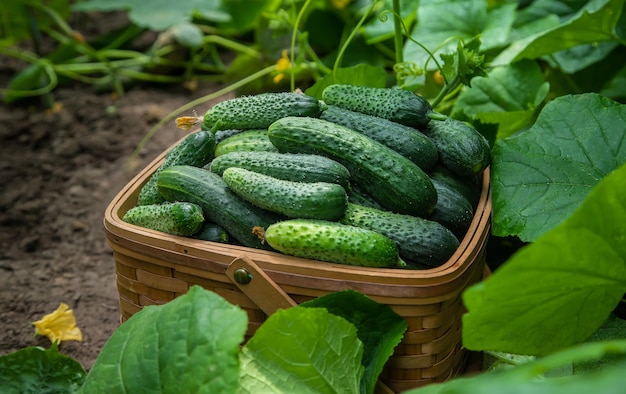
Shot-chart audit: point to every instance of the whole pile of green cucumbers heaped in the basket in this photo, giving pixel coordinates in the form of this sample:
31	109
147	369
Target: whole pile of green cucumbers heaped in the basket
365	176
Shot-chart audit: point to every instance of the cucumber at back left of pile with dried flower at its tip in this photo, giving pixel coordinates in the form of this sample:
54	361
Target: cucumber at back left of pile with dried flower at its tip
259	111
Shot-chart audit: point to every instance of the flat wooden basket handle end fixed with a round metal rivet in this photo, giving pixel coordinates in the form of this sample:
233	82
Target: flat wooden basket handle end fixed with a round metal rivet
258	286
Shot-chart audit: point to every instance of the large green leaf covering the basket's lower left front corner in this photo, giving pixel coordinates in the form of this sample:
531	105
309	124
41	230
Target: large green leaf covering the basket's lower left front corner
189	345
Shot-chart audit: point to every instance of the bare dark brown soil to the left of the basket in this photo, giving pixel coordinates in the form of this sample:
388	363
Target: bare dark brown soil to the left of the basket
60	168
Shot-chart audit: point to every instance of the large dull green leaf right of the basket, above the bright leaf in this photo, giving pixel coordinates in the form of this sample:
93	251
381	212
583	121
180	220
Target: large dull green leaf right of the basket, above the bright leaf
541	175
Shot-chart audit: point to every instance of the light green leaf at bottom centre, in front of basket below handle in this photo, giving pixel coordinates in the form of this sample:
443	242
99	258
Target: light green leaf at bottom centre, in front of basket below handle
302	350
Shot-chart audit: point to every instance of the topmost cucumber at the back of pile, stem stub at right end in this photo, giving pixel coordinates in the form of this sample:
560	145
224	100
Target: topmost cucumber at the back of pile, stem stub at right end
398	105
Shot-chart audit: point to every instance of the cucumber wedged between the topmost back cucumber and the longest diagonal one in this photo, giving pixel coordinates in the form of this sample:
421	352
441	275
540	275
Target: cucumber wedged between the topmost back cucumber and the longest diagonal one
407	141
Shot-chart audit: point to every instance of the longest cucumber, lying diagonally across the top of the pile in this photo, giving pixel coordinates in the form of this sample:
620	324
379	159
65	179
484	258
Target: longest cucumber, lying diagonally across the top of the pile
391	179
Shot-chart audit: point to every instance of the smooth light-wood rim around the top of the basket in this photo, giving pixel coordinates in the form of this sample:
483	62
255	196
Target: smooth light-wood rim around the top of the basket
116	229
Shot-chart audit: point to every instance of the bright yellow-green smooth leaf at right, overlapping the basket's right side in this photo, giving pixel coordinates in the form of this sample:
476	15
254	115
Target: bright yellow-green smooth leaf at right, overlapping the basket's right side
556	291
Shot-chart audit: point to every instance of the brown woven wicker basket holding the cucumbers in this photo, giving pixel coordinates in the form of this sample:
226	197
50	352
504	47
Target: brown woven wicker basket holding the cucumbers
154	268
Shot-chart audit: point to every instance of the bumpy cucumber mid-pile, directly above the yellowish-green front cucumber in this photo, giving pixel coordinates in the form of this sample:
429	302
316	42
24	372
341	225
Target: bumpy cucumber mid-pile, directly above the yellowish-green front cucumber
318	200
